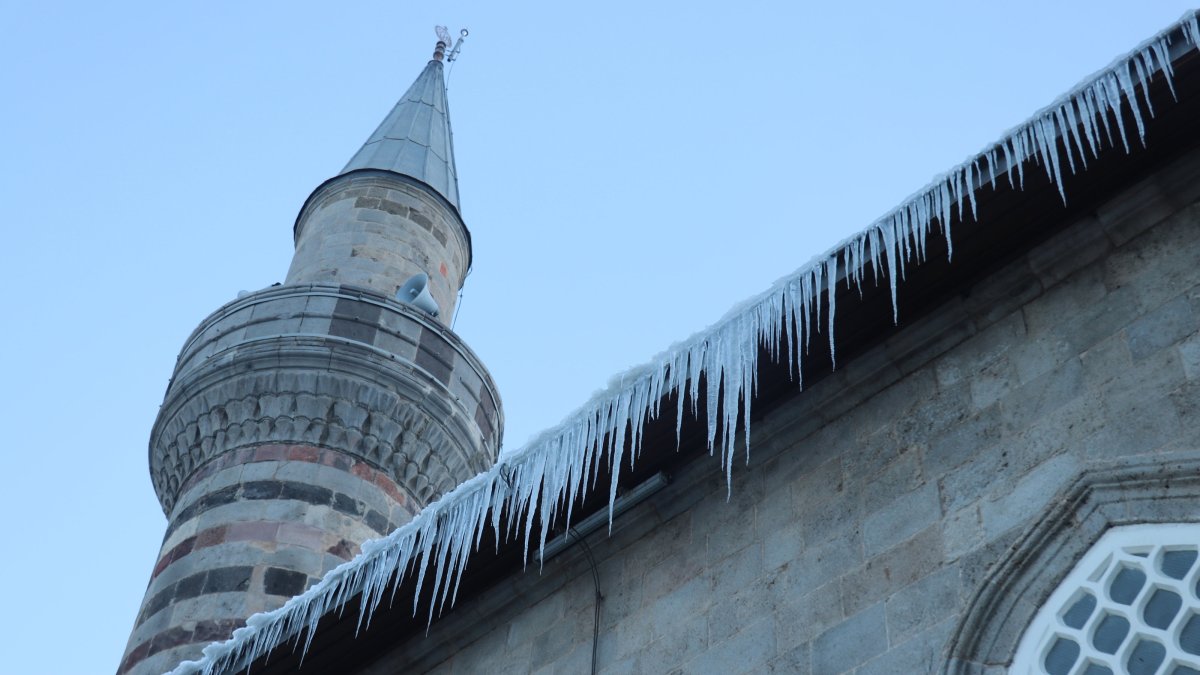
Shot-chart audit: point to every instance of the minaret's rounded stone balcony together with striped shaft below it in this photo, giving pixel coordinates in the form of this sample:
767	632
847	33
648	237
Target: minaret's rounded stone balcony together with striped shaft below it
301	422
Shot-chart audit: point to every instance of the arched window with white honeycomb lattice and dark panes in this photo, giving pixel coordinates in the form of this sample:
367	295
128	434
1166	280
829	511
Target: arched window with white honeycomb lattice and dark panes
1132	605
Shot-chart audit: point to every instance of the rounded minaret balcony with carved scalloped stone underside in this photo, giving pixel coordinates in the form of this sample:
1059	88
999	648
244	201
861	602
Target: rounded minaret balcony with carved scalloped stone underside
328	367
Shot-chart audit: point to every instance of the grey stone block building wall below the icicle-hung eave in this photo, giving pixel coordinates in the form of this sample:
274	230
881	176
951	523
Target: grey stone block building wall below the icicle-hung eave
889	504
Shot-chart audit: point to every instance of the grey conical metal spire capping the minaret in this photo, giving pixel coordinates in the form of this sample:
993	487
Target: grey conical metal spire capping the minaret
415	140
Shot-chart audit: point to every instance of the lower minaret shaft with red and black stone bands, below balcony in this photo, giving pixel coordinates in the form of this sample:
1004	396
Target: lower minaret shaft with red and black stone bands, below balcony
243	540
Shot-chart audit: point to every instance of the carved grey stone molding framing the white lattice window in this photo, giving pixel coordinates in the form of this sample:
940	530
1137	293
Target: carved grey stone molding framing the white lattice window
1006	602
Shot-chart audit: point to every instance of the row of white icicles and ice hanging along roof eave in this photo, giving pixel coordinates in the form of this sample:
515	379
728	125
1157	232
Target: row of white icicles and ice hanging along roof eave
535	483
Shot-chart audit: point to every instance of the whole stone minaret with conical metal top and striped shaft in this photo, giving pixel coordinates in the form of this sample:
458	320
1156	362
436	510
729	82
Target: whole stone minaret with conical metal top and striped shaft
307	419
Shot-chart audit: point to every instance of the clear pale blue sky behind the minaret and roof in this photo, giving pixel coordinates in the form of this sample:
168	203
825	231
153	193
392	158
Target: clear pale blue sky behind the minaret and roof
628	171
